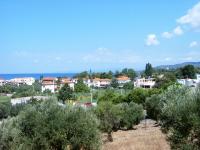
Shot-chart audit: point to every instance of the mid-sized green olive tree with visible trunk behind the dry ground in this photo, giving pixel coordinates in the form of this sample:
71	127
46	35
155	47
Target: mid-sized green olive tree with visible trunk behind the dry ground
118	116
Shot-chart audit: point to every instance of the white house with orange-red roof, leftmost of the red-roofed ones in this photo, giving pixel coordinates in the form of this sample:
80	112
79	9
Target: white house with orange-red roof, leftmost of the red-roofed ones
49	83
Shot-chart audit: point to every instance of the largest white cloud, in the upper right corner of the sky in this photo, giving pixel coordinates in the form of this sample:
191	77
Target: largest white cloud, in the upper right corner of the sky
192	17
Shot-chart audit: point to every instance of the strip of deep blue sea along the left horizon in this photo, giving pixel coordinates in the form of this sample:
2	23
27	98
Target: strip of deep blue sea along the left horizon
36	75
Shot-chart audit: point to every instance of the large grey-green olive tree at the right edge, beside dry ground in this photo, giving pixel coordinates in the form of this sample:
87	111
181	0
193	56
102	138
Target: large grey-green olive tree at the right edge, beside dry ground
177	110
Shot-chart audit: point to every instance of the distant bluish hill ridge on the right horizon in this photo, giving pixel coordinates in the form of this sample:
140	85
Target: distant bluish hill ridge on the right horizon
195	64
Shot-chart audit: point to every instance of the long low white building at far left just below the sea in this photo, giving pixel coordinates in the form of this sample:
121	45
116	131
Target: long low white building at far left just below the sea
21	81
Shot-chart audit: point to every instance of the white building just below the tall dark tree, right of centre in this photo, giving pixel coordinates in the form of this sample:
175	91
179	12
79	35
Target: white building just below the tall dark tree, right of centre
145	83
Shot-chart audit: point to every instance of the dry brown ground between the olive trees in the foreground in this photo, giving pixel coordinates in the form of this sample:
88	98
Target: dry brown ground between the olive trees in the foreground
149	138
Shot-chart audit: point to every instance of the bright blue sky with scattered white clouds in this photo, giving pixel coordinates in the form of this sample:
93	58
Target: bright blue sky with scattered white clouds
46	36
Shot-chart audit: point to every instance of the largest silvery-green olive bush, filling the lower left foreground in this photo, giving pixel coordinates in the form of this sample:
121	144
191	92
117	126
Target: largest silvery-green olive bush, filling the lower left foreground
50	126
